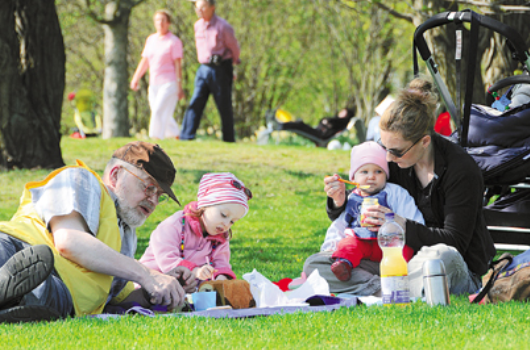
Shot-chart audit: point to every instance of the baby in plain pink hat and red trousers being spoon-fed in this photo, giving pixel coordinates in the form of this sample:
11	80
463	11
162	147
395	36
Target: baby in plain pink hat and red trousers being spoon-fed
368	168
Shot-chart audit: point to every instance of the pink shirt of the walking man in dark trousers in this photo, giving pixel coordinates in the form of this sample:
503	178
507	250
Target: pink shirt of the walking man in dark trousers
215	37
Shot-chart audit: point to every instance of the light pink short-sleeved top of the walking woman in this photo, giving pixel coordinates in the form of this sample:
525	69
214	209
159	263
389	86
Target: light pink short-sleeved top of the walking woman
161	53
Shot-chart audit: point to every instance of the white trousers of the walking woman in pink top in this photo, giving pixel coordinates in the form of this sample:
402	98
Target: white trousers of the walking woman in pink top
163	100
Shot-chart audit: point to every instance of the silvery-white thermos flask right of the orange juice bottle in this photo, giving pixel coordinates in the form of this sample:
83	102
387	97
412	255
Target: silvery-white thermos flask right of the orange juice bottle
435	283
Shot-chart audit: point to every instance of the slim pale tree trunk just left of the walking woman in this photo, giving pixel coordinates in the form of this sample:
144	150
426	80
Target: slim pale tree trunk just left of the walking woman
116	84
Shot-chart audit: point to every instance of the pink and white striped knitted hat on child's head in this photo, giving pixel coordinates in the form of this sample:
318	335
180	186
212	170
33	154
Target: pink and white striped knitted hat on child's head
219	188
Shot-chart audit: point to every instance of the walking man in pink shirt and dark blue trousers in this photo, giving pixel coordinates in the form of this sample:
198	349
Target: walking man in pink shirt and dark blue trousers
217	50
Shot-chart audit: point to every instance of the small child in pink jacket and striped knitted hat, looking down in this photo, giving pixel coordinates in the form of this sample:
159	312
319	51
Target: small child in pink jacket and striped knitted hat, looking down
198	236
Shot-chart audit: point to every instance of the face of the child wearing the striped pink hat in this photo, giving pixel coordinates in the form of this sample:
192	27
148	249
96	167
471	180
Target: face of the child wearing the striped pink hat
218	219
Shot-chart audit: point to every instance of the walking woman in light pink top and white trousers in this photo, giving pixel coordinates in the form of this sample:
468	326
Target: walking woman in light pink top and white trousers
162	54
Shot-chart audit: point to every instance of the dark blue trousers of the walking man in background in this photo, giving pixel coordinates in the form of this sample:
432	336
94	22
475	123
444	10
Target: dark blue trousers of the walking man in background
216	80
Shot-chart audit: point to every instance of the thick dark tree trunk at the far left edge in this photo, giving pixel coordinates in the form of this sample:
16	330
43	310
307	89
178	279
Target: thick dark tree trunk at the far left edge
32	69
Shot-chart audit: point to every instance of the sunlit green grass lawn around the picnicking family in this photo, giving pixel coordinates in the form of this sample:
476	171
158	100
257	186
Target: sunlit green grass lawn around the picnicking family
286	223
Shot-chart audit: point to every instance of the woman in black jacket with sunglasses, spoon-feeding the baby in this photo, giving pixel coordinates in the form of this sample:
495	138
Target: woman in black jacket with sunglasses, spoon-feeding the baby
447	186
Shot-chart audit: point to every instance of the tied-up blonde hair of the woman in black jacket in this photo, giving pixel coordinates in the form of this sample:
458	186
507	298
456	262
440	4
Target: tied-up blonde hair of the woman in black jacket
413	112
